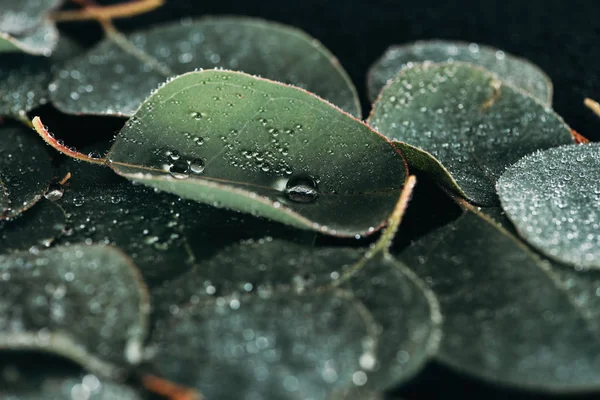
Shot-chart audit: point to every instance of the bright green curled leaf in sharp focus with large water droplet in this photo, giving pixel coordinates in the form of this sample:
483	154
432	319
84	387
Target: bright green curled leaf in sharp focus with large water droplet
252	145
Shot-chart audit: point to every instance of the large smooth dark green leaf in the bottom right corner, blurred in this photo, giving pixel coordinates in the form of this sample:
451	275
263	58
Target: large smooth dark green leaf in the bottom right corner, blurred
507	318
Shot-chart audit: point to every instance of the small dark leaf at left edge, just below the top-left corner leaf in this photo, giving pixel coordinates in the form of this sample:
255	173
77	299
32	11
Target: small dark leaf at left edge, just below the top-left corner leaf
24	78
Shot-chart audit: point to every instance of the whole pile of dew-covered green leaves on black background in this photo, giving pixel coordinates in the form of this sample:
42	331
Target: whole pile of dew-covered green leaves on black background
241	237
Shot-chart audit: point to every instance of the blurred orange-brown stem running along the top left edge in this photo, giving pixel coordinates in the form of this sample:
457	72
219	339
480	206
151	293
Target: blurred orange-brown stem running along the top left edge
92	11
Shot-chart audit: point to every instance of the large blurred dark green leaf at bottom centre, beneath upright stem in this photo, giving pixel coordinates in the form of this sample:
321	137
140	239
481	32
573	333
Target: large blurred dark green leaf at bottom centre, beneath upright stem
293	321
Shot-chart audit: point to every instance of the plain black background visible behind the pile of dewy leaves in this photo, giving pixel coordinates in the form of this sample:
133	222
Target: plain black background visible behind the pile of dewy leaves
561	36
